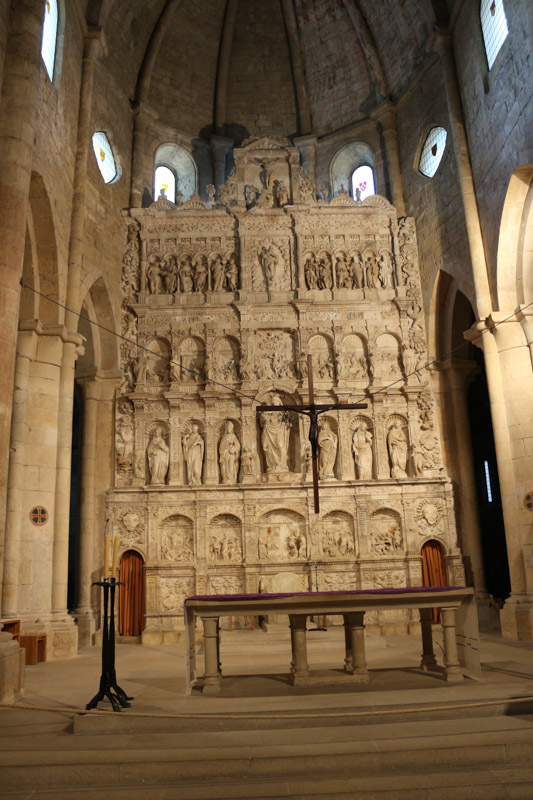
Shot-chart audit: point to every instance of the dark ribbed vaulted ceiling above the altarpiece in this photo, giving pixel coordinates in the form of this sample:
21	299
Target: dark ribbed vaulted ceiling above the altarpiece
240	67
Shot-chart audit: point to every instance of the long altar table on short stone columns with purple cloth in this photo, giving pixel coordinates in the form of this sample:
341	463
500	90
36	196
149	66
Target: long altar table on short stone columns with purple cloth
456	603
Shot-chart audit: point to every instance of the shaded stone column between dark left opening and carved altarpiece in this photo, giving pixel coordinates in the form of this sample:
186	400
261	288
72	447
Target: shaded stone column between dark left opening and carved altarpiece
84	611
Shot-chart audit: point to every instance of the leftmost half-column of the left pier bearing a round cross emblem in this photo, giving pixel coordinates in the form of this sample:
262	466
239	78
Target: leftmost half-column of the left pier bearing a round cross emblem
26	352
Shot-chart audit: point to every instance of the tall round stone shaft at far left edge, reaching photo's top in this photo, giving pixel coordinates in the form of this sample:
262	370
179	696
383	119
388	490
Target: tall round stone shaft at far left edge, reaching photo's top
18	113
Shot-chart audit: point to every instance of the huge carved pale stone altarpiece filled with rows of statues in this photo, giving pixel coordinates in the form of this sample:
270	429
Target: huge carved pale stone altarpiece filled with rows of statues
222	303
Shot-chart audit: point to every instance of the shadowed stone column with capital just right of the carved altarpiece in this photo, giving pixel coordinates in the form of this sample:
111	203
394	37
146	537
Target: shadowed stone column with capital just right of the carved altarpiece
459	375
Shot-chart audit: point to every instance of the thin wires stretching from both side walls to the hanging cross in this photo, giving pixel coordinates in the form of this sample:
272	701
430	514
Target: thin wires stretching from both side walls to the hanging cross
170	361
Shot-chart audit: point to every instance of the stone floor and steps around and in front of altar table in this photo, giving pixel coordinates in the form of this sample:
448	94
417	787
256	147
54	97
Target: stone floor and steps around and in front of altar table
255	665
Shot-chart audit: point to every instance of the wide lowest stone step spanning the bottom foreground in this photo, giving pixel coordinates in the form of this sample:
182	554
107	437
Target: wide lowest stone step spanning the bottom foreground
227	761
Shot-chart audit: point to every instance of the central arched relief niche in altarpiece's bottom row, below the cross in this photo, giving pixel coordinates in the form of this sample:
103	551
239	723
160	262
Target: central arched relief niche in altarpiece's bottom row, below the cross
282	536
